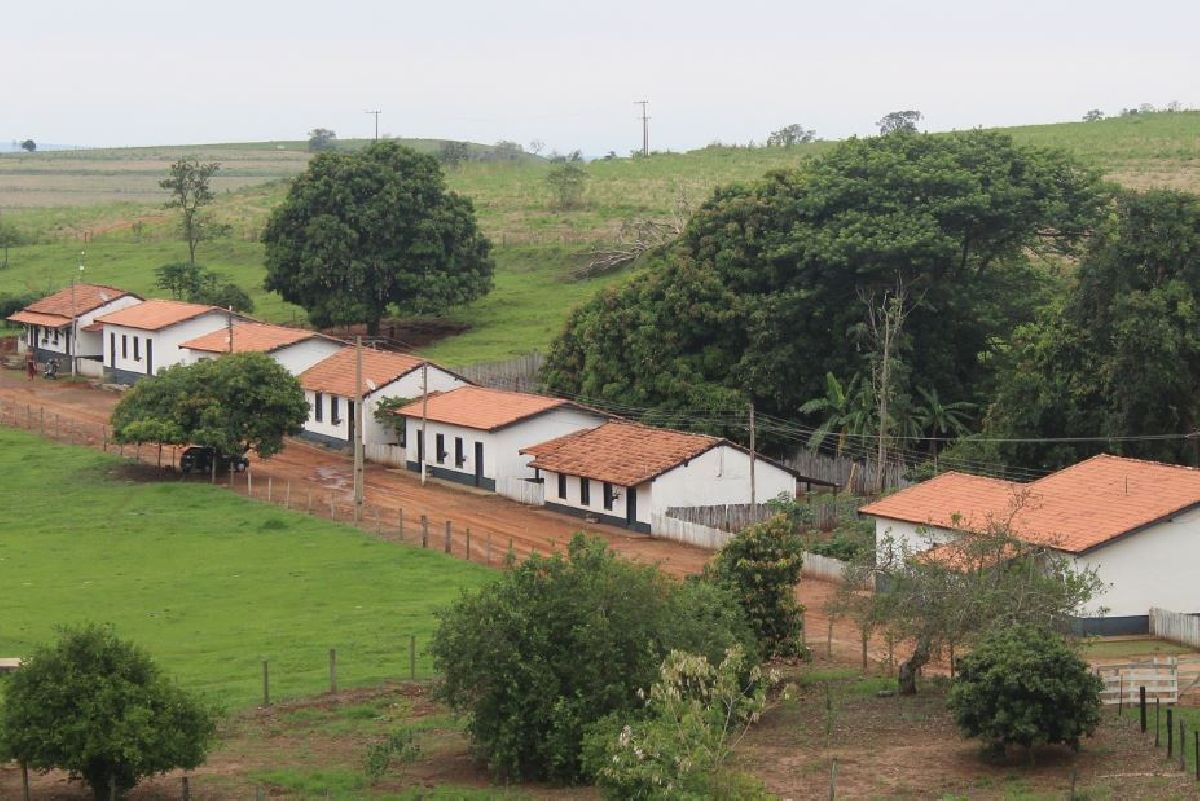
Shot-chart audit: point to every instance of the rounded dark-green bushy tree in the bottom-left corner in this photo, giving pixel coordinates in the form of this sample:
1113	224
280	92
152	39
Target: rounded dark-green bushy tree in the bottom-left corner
99	708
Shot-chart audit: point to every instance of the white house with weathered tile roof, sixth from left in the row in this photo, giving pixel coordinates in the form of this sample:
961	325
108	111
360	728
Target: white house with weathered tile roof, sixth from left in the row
628	474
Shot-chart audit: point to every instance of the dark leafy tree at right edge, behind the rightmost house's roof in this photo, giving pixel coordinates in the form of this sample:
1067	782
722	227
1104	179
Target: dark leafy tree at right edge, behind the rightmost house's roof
1121	356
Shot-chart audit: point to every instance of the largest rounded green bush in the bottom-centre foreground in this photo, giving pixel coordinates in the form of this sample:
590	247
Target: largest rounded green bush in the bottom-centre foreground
559	643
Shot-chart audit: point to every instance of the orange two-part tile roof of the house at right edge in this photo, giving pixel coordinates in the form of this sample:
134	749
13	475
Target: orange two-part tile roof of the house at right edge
1073	510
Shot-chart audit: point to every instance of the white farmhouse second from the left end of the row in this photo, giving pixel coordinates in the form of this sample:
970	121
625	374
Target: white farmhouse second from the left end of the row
142	340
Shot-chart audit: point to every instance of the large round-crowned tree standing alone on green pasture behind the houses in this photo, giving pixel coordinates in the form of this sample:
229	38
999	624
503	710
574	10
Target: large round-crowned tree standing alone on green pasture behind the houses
362	233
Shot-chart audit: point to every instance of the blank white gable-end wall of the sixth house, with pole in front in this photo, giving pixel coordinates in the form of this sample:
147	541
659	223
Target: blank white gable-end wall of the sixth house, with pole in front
721	475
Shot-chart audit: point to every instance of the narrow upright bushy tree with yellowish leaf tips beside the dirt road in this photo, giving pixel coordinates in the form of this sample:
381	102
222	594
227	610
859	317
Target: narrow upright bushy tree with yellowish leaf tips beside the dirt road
761	567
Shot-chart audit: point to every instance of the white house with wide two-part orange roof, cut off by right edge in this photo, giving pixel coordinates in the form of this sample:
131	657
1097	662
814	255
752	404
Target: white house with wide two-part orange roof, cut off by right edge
1137	523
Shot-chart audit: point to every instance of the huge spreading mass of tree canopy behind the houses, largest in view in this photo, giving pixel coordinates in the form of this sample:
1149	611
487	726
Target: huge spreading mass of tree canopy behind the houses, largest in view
761	297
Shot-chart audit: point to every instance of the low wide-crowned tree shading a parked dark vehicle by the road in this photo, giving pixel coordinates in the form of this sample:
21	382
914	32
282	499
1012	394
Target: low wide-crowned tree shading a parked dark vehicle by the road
233	403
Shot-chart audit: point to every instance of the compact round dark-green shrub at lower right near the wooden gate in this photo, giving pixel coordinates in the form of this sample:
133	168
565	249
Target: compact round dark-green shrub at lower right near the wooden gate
1025	686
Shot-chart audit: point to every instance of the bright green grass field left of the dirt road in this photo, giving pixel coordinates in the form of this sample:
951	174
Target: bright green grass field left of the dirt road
211	583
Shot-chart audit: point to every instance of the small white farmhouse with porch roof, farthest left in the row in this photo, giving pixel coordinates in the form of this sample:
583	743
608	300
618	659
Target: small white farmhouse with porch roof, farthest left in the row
64	326
